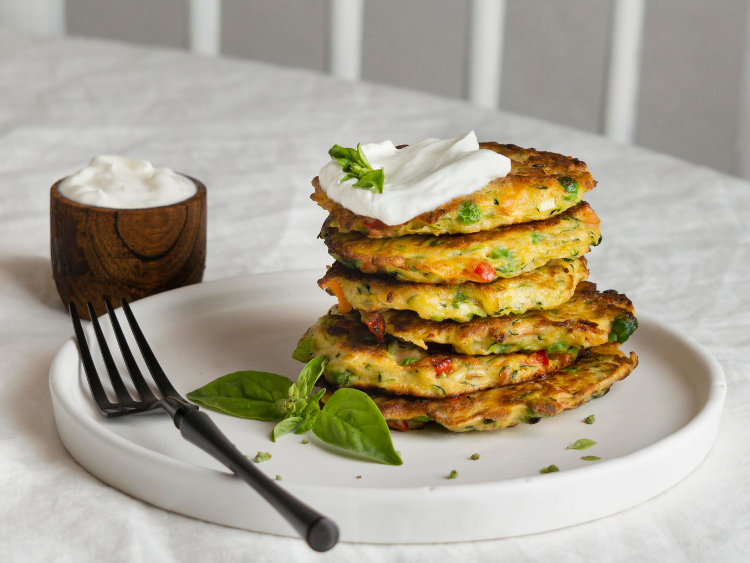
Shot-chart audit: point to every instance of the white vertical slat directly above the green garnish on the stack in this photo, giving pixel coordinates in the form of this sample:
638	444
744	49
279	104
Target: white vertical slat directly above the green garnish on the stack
345	56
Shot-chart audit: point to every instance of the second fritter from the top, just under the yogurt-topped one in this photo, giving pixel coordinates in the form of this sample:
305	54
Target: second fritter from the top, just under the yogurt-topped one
504	252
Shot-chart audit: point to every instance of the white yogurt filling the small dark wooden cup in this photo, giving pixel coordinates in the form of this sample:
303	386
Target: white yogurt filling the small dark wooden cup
120	182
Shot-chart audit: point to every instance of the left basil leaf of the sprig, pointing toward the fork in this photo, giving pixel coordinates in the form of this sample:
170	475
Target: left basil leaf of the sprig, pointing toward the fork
246	394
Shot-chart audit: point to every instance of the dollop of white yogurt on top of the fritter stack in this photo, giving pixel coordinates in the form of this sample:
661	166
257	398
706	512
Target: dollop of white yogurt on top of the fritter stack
418	178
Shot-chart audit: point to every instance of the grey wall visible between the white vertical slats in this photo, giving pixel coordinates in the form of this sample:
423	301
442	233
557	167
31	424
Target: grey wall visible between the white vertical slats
554	57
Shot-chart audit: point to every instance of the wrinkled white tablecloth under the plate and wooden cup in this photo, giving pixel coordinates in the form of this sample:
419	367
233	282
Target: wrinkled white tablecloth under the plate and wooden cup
675	240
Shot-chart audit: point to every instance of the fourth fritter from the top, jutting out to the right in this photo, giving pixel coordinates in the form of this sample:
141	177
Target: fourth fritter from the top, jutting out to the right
589	318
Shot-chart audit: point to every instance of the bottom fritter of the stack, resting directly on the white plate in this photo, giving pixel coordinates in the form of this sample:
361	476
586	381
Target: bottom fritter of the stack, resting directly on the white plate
569	388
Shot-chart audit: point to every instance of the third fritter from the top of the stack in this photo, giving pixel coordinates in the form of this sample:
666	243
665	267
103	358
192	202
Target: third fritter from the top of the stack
543	288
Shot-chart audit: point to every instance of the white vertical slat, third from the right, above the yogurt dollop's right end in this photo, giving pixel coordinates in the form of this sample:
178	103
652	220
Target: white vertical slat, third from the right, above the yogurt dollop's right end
486	31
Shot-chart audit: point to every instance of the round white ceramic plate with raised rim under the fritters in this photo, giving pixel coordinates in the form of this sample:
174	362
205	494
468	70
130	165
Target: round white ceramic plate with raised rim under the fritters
652	430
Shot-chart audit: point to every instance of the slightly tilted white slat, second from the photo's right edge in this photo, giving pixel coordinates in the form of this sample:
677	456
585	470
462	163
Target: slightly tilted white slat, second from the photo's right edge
624	70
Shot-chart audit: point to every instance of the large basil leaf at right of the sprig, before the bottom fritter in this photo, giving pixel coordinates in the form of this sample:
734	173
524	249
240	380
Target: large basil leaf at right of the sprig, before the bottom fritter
350	420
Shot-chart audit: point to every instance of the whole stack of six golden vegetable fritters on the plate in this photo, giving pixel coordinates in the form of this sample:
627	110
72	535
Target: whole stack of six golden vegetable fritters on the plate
475	315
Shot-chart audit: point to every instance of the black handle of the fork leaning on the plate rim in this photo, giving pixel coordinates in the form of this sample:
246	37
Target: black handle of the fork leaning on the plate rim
320	533
